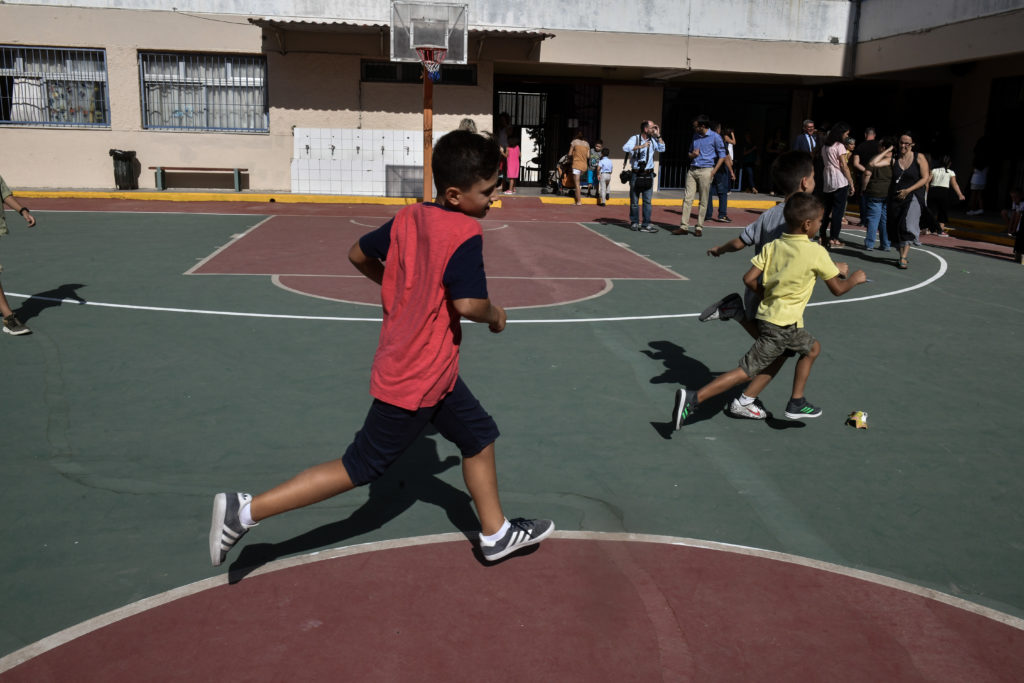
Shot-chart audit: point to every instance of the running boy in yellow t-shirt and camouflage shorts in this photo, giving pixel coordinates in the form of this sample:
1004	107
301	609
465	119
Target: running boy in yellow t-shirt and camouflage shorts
784	274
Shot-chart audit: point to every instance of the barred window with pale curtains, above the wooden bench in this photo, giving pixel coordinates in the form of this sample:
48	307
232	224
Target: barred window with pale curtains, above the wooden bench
225	93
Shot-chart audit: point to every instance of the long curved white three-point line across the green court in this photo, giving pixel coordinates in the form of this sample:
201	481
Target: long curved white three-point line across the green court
944	268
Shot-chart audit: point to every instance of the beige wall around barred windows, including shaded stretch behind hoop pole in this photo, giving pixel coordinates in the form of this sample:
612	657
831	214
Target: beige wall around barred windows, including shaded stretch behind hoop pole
307	89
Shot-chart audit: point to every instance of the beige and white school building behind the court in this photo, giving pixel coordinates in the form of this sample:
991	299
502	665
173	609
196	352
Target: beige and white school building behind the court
302	97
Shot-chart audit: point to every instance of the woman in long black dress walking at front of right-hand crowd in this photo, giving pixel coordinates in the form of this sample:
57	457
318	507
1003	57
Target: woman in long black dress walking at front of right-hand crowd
907	194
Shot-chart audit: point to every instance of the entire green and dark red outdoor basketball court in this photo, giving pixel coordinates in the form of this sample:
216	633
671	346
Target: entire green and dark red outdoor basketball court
182	350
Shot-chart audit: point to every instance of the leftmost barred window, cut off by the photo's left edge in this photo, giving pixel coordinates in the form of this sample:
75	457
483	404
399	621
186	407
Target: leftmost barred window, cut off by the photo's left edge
50	87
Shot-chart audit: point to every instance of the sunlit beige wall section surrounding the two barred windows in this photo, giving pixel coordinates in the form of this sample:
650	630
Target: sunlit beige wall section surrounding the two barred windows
79	158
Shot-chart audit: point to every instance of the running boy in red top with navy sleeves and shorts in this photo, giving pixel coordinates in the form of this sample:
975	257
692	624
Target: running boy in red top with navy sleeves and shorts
434	277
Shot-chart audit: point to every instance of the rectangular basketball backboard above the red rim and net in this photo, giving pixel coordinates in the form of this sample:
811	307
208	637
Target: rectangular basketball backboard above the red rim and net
428	24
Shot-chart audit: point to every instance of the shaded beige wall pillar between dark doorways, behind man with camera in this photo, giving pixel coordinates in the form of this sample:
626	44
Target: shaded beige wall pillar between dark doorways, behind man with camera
623	108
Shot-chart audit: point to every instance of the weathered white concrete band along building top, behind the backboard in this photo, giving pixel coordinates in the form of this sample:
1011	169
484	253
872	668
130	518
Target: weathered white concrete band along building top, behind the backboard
801	21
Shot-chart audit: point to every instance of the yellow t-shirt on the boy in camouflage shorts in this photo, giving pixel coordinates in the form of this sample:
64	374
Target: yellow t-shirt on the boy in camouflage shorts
791	266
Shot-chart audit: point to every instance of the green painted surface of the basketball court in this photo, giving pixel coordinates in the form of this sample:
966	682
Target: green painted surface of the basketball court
121	421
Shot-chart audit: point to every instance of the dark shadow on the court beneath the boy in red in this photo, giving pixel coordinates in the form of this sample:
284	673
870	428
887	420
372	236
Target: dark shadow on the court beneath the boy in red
412	479
